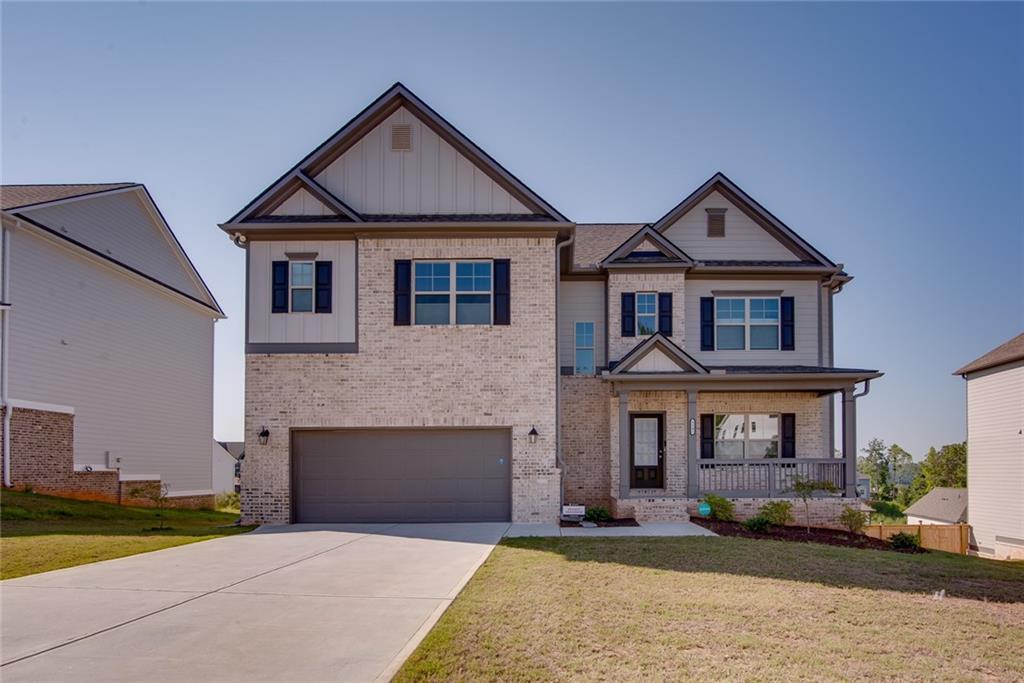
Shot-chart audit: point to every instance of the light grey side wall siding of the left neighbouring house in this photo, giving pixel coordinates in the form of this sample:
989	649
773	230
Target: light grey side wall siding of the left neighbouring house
134	360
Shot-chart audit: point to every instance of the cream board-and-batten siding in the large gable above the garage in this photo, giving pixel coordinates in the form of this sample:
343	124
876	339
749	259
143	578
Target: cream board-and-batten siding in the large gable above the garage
431	179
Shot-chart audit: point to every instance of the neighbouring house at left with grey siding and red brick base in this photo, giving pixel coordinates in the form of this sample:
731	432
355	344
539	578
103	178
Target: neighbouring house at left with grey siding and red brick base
107	348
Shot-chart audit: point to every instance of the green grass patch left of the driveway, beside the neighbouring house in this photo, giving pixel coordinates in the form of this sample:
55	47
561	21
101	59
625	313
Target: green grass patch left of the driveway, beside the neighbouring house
42	533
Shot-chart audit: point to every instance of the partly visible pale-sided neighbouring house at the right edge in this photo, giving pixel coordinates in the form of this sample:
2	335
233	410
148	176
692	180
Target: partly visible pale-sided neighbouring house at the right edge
996	451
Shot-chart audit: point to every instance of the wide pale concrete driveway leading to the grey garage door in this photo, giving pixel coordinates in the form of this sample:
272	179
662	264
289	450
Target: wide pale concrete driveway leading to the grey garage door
294	604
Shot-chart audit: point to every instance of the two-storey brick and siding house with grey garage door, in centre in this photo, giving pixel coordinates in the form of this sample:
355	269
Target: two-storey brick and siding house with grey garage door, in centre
428	339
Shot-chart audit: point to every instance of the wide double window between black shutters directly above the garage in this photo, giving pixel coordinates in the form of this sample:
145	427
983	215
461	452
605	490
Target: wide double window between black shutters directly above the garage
466	298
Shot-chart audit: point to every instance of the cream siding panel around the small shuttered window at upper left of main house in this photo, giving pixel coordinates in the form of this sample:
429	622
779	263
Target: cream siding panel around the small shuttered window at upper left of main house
336	327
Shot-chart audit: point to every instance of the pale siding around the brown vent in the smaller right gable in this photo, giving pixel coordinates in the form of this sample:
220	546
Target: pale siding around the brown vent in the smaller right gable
744	240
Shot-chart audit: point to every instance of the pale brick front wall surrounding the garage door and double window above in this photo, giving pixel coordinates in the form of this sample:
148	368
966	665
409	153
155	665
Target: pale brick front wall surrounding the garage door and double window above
419	376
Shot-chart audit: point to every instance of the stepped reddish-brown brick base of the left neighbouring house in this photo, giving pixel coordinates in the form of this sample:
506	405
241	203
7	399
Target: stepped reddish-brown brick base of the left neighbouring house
42	459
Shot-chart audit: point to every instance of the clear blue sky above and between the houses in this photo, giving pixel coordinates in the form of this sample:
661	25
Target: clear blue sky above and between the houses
891	137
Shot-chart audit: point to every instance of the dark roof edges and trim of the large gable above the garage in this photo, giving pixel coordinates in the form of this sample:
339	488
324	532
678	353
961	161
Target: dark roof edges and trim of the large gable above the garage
397	97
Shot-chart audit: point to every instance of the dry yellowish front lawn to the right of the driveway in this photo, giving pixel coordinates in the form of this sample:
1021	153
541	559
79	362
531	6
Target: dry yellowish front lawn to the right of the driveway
727	609
